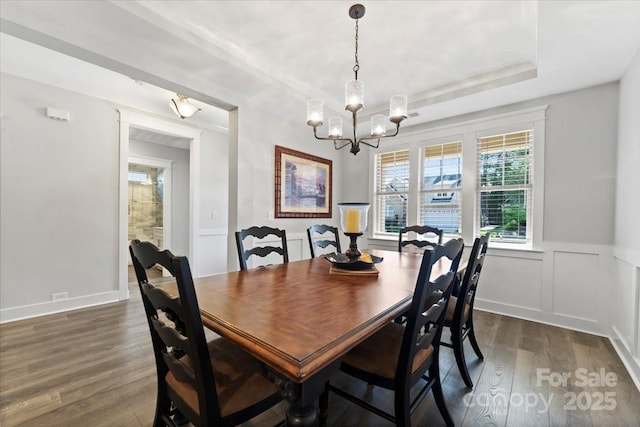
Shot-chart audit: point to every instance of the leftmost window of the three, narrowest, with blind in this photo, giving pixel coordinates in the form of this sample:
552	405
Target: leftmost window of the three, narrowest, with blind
391	191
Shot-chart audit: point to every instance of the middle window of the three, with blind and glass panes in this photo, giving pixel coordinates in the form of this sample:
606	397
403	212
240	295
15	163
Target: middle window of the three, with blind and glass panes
440	188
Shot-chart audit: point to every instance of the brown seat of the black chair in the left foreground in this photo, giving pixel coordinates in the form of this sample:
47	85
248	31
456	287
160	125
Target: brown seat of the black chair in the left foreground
239	379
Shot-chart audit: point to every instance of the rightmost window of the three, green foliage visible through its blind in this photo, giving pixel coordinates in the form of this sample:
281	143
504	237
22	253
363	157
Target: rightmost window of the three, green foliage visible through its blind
505	182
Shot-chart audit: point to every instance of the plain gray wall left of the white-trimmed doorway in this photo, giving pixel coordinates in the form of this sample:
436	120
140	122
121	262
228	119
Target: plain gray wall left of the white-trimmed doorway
58	192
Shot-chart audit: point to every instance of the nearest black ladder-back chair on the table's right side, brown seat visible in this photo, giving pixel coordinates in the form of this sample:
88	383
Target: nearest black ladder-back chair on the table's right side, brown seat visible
399	356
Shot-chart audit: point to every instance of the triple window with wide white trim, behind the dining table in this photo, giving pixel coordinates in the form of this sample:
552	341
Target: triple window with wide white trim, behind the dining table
468	178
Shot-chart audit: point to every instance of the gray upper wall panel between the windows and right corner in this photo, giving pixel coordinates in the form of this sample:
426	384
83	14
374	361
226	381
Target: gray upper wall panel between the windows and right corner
580	166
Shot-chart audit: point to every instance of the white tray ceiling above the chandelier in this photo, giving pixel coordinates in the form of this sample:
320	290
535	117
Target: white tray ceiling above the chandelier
450	57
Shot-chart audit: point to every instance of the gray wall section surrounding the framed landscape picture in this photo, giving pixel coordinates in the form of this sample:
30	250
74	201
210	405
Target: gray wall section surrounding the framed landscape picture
258	132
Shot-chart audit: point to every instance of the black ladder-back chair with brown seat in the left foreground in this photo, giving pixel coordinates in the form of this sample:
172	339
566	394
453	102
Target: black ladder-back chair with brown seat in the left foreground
208	383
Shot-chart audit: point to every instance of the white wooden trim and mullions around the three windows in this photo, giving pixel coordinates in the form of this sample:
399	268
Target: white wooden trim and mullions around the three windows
469	132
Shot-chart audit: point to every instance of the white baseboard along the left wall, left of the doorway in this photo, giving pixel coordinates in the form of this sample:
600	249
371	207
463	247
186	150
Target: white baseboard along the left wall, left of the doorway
34	310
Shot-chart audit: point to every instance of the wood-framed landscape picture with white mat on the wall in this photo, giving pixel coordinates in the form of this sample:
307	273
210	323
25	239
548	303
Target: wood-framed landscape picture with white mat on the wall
303	185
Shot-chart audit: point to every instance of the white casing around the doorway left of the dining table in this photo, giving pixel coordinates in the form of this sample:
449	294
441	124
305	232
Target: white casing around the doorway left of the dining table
129	119
